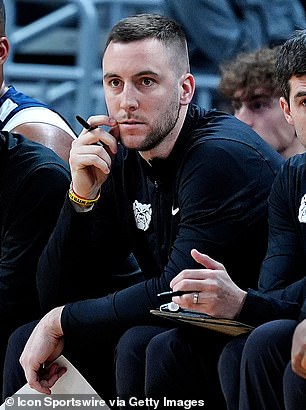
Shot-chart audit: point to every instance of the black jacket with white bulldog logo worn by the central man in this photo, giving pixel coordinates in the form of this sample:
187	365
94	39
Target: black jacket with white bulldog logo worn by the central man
210	194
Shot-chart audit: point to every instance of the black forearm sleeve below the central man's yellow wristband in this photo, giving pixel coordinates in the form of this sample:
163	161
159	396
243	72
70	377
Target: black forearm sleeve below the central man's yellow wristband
84	254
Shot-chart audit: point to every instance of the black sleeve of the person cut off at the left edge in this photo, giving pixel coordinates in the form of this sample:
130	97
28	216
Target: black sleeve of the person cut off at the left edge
30	220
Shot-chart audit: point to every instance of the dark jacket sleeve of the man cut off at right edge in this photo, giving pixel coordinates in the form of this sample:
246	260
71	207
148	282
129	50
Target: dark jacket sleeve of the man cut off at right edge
283	269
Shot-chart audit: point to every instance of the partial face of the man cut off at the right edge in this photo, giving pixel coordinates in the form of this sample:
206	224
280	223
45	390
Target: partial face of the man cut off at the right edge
295	111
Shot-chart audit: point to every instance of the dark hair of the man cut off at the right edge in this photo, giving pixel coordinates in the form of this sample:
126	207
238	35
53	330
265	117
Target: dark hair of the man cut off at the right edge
291	60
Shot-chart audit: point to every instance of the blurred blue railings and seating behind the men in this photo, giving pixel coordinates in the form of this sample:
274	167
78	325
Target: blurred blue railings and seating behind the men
56	45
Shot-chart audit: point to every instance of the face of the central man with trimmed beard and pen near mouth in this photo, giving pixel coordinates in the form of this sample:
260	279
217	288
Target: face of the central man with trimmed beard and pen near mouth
142	92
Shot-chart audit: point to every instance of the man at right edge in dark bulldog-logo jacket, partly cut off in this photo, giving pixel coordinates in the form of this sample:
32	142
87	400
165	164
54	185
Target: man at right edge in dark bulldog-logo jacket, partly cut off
270	363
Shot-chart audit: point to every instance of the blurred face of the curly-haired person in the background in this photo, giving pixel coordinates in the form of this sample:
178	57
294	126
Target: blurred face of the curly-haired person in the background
262	113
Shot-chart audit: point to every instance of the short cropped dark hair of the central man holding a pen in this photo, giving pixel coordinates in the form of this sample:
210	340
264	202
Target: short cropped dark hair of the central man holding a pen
154	26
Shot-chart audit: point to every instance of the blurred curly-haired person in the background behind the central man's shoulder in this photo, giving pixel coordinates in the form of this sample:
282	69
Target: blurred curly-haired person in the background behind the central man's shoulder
249	83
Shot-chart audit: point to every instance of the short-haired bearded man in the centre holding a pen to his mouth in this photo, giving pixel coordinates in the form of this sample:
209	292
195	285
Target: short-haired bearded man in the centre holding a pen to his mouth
149	189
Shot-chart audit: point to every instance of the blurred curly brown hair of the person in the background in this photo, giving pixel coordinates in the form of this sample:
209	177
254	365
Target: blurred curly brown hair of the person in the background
248	71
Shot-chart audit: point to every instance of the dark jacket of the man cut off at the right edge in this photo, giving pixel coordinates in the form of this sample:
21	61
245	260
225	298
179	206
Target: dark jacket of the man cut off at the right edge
283	272
